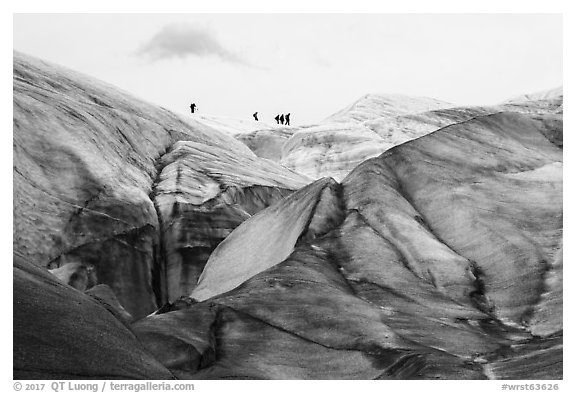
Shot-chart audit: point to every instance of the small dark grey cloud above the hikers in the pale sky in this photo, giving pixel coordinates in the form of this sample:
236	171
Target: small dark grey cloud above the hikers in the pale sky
182	41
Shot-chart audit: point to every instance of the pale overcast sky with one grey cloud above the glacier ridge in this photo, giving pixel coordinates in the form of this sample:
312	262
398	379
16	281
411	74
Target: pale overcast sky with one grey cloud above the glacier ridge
311	65
